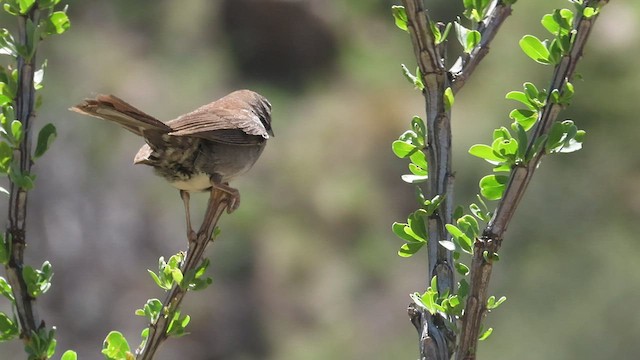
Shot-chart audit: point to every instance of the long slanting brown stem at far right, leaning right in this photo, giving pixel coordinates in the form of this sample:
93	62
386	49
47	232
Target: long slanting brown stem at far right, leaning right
489	243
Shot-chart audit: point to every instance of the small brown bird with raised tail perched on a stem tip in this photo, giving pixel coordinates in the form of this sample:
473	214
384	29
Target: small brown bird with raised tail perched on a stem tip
200	150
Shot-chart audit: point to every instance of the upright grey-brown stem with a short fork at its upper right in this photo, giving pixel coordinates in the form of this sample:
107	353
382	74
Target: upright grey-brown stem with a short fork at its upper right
437	341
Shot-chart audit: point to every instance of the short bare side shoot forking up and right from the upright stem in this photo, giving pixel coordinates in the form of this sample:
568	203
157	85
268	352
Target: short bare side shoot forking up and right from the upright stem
467	63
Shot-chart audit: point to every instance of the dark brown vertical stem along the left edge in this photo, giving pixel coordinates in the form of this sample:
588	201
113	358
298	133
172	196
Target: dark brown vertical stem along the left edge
24	106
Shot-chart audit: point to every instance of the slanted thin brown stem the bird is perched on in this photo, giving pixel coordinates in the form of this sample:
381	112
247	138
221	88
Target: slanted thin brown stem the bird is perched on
218	202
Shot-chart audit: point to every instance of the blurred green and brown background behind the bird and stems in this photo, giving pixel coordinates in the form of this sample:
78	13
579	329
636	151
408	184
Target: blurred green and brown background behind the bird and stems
307	267
